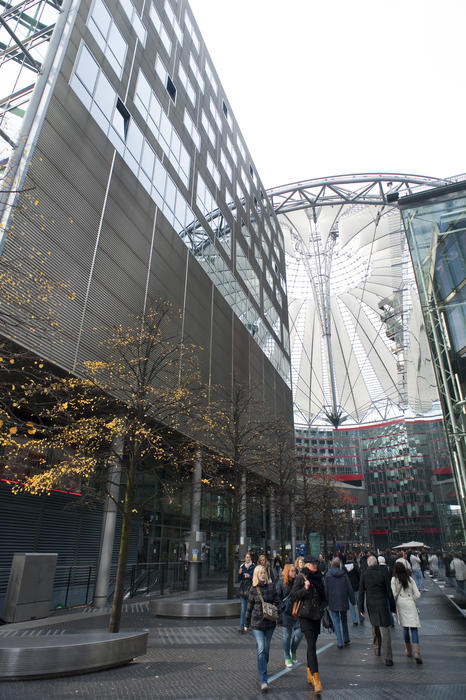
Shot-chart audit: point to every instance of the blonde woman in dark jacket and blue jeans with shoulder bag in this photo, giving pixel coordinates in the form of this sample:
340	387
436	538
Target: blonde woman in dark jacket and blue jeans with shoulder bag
262	589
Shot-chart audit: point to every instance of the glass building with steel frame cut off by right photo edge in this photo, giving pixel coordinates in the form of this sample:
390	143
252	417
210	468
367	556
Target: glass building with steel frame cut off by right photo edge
435	224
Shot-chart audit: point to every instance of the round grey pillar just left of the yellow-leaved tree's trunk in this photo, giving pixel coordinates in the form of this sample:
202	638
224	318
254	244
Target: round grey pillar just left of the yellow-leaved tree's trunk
108	528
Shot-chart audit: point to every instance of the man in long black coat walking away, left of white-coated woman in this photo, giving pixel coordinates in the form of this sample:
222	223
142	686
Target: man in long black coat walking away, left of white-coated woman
375	589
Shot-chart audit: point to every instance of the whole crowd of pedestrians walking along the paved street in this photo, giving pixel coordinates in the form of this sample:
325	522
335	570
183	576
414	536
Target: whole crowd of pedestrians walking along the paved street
297	595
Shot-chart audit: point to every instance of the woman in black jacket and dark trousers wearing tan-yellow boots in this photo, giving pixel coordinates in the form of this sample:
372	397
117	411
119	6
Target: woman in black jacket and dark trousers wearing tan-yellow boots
309	589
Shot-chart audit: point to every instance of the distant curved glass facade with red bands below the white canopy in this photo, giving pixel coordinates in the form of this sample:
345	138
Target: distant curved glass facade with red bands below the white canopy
403	466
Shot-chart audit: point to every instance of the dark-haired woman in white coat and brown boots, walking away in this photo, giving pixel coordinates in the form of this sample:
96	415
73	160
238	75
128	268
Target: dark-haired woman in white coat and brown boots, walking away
406	593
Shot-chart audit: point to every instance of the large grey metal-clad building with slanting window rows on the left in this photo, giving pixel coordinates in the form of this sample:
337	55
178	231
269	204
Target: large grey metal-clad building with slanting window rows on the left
124	169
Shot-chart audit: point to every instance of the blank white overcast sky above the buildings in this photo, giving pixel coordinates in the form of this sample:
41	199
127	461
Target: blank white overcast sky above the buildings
325	87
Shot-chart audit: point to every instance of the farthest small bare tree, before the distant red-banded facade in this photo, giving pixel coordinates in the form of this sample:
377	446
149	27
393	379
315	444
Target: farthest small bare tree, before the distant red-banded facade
325	506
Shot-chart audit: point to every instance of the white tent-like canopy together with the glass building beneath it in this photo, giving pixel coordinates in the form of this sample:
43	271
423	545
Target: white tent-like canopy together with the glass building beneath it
364	384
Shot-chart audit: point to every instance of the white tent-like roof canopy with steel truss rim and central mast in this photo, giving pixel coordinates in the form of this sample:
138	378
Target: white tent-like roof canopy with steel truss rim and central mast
359	360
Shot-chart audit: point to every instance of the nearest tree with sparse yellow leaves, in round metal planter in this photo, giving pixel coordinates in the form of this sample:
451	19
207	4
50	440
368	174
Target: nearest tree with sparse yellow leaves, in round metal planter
137	406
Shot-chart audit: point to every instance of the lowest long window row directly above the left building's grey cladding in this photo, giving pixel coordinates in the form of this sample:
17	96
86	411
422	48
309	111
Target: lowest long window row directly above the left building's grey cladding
96	92
